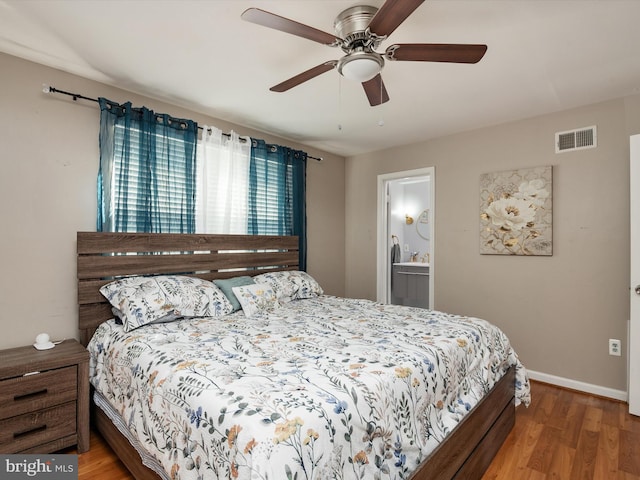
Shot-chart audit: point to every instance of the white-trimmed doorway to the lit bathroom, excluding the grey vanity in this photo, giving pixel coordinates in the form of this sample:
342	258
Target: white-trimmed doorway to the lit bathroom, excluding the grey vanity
406	214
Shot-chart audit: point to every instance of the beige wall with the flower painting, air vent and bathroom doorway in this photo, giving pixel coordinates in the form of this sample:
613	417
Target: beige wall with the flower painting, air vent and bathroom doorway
558	311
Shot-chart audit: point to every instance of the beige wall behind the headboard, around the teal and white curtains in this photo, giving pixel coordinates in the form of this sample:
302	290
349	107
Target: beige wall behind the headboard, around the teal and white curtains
48	174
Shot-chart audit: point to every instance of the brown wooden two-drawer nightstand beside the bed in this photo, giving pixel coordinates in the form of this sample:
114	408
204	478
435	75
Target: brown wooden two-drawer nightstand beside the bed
44	399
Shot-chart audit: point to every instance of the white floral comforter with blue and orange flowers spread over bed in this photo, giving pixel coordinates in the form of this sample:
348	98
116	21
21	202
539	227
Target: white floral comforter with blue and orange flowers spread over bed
324	388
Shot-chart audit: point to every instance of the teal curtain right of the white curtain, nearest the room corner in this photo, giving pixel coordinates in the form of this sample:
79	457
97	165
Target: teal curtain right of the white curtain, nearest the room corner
277	193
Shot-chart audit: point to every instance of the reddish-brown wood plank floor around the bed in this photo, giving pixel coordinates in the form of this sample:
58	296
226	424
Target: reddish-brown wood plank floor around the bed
563	435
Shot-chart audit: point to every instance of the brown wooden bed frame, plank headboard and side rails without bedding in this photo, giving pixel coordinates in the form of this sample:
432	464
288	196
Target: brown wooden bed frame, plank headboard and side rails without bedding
103	256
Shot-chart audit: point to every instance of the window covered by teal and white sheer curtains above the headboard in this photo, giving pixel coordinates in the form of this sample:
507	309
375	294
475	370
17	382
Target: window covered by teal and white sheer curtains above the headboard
149	180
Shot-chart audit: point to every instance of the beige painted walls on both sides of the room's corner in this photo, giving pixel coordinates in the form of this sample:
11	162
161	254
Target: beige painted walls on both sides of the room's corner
558	311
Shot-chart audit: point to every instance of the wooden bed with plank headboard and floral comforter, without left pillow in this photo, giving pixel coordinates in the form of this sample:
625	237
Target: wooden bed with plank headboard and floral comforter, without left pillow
322	399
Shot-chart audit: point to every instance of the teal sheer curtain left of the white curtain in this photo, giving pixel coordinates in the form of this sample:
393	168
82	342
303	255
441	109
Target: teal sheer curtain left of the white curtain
147	174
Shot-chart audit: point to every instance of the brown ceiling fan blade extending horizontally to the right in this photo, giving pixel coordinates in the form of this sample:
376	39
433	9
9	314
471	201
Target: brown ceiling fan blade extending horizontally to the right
436	52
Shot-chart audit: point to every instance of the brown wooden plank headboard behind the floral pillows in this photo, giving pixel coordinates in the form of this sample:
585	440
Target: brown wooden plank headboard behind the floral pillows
103	256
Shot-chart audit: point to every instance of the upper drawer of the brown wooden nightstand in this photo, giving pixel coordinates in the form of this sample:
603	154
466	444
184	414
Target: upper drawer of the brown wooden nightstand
33	392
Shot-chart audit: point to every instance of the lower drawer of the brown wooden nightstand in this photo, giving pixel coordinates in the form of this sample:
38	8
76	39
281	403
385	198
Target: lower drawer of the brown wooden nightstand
31	429
